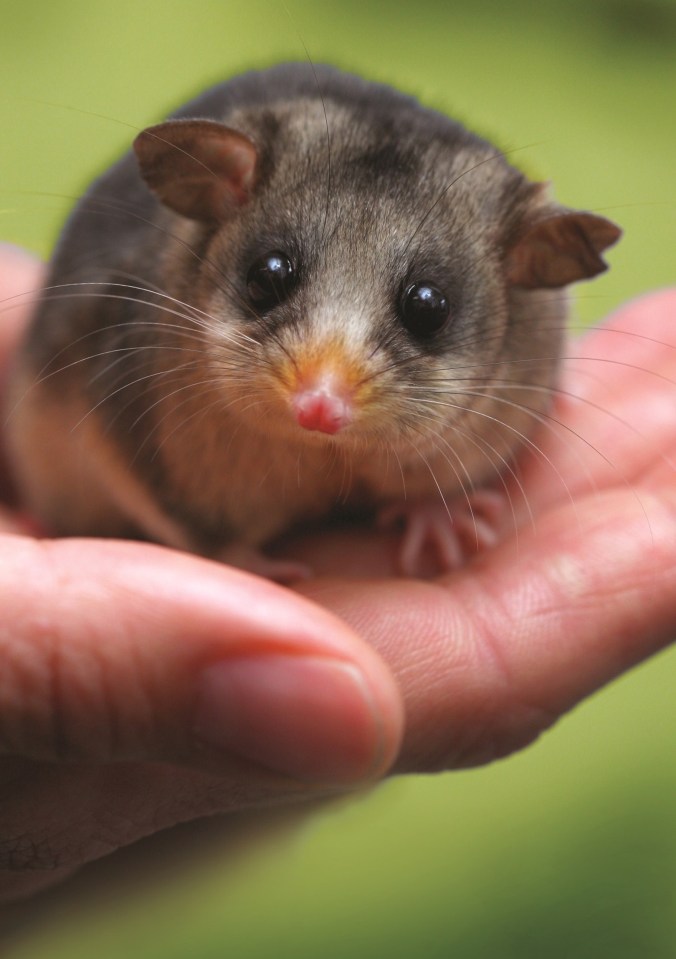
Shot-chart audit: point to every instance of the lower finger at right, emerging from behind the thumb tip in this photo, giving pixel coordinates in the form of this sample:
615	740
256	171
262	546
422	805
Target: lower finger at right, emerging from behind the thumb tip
492	657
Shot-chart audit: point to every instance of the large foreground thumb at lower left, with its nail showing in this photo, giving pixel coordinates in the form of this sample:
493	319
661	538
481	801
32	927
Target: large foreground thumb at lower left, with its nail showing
121	651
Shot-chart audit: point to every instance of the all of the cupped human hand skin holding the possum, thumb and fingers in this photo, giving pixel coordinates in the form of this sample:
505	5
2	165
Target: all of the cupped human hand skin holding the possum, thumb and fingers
106	734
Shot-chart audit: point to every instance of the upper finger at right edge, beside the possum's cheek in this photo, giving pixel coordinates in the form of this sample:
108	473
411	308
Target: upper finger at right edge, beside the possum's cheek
614	419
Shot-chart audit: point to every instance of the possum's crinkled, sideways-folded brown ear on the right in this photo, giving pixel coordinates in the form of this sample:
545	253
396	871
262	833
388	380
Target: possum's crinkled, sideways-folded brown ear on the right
558	248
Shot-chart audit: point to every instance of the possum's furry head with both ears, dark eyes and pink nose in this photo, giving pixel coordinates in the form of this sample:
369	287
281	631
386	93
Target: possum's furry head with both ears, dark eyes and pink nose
371	269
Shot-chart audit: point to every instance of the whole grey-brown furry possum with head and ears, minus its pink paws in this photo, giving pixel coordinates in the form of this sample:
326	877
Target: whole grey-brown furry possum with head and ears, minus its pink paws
178	383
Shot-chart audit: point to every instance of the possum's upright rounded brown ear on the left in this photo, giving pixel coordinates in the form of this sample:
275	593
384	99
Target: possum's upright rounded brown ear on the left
199	168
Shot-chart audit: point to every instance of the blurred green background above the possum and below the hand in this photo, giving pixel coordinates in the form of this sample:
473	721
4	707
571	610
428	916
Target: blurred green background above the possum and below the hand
568	850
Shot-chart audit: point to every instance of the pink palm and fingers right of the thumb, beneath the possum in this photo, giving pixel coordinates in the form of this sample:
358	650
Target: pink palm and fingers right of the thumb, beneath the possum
490	656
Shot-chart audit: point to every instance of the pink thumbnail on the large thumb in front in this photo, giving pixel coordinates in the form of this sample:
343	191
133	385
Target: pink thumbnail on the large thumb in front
308	718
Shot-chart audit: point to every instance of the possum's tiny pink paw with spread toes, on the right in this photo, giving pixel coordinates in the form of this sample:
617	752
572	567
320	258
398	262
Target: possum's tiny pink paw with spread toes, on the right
450	532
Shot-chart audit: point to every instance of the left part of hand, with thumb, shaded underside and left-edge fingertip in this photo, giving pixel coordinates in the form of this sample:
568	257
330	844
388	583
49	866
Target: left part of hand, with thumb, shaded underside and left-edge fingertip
142	687
